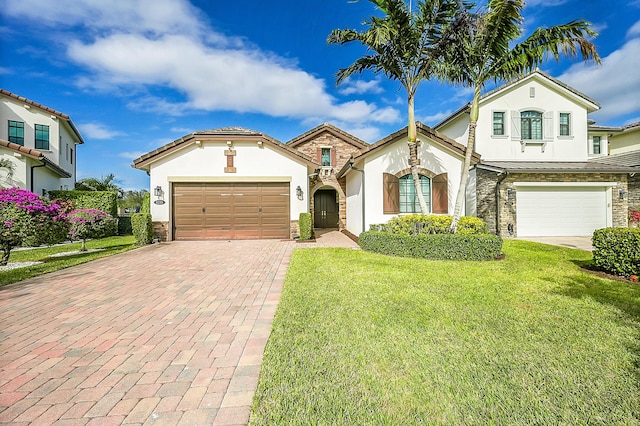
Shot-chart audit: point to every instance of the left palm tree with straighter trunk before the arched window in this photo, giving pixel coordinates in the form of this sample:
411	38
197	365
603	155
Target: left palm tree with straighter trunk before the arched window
405	46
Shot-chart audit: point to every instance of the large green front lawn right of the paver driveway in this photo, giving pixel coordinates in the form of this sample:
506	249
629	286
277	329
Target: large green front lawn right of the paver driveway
361	338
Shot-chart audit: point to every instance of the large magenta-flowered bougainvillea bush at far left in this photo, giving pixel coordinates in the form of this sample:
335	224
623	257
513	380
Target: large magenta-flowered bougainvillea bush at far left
28	219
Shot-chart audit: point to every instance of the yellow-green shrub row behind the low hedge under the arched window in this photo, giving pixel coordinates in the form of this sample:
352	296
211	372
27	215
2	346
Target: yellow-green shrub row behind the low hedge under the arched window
415	224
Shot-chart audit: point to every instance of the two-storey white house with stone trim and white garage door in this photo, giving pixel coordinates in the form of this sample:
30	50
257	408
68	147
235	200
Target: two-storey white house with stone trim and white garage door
540	174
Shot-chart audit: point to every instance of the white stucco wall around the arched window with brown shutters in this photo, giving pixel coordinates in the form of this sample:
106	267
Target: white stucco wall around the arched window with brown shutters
394	158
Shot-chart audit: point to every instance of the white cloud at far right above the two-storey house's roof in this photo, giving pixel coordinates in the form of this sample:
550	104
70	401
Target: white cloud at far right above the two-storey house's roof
613	84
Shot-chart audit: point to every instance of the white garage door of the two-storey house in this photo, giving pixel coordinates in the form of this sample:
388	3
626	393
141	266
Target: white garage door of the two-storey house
560	211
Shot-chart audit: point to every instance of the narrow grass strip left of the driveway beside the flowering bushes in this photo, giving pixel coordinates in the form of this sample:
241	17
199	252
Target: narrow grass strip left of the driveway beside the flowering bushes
110	246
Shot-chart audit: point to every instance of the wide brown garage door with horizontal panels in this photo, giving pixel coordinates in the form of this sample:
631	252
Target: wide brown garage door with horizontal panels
230	210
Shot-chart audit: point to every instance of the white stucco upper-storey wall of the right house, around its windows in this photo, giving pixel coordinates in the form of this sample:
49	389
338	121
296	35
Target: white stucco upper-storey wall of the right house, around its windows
538	94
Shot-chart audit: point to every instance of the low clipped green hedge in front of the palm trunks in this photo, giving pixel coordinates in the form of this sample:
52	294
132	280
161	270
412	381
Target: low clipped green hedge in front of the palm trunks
433	246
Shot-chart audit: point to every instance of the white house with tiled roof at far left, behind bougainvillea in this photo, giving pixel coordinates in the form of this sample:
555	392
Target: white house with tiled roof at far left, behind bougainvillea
41	143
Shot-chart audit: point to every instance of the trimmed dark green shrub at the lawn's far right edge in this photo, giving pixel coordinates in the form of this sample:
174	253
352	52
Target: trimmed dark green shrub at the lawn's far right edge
617	250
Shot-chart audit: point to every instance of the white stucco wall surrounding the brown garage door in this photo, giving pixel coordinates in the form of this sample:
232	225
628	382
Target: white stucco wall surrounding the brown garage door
207	163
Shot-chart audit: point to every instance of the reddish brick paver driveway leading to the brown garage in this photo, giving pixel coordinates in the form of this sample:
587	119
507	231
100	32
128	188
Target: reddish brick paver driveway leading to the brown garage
166	334
